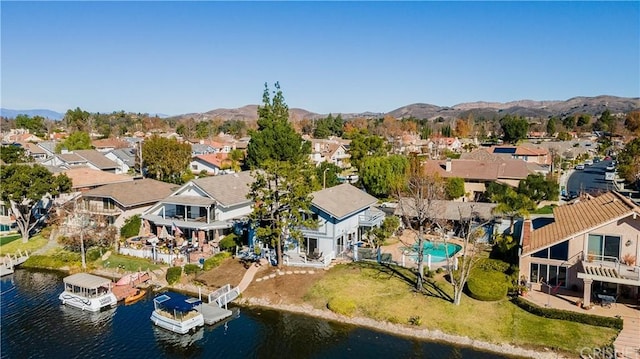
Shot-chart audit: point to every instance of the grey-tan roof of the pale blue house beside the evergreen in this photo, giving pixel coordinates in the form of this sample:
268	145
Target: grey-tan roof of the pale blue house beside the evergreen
342	200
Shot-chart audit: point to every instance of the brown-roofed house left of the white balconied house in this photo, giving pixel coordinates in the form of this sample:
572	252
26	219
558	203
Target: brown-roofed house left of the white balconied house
119	201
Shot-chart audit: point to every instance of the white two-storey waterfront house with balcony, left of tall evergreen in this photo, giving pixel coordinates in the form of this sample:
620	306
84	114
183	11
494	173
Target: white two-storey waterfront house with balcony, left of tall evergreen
204	208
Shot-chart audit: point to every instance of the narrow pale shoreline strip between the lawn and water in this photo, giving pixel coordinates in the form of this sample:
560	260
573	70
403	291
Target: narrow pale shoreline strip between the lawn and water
397	329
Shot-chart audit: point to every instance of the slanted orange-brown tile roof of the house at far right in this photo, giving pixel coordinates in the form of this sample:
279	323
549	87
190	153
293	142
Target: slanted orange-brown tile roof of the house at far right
580	217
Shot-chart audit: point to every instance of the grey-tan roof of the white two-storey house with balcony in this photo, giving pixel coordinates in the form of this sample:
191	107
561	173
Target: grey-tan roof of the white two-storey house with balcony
227	189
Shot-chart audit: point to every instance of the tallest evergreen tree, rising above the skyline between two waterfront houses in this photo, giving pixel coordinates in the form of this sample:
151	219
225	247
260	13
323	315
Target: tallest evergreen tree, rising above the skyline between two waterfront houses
279	158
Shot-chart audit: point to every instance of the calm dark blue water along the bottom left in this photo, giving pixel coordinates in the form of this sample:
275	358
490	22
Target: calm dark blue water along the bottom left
36	325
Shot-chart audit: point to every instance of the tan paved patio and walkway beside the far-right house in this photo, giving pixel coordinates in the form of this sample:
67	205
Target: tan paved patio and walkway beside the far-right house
627	344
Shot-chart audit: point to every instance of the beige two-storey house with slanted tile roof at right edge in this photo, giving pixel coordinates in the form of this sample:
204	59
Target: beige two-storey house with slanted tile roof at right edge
591	246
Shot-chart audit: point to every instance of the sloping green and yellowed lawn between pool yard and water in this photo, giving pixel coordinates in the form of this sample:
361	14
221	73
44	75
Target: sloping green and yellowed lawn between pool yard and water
384	293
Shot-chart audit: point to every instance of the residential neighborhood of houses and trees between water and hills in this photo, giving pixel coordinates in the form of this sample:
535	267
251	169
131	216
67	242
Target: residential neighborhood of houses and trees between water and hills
162	198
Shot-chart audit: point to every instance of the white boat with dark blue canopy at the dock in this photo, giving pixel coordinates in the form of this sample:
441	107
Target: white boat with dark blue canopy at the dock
177	313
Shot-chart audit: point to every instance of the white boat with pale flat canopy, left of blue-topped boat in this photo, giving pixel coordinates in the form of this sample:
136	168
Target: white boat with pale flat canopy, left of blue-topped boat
88	292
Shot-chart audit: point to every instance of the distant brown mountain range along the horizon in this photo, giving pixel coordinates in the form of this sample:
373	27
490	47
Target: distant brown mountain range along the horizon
527	108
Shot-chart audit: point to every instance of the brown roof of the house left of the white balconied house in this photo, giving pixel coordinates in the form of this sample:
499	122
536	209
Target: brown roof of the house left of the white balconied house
133	193
